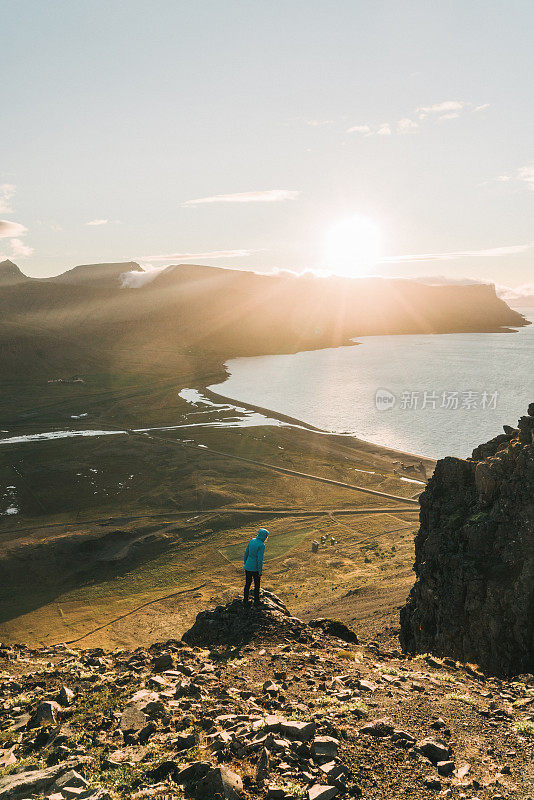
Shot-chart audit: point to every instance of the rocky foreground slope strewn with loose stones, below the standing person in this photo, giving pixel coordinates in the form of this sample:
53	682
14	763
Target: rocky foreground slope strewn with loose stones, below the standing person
288	710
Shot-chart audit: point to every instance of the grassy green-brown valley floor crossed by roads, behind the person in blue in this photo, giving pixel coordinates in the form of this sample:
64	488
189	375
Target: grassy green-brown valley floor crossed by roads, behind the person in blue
108	524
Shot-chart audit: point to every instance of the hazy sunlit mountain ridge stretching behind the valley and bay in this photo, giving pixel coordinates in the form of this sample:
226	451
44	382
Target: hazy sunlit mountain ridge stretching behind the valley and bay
89	316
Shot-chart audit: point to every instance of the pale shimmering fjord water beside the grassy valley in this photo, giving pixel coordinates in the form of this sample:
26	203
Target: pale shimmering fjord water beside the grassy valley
335	389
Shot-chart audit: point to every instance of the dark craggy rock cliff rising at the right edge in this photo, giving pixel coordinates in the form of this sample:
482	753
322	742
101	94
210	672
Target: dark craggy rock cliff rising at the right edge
474	557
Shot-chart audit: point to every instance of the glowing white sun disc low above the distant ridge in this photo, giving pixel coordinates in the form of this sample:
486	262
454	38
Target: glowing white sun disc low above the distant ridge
352	246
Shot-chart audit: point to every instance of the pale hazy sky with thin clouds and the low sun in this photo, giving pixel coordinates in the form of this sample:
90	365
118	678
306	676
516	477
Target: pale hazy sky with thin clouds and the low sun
384	137
